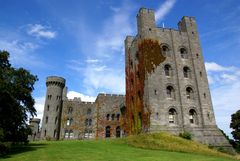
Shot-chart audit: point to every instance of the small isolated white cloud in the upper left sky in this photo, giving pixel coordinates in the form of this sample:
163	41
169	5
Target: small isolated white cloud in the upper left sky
41	31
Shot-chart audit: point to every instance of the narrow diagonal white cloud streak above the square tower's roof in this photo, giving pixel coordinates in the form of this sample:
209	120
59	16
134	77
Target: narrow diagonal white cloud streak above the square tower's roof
164	9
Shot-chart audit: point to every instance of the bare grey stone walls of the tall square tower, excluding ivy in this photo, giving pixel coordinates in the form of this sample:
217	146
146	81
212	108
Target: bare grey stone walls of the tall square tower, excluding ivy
177	92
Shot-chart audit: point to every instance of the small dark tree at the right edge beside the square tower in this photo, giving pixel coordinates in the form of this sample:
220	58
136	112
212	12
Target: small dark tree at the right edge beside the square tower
235	125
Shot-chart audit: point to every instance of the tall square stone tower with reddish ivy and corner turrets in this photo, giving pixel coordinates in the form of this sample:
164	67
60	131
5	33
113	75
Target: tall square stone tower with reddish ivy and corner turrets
166	81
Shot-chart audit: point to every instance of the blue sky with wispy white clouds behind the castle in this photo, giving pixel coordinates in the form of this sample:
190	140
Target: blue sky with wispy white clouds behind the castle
82	41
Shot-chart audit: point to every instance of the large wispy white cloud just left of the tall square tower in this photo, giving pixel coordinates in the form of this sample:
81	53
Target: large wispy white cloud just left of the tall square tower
103	69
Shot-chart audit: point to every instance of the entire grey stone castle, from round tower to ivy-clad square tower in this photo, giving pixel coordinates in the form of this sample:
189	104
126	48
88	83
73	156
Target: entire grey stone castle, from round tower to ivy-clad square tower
166	90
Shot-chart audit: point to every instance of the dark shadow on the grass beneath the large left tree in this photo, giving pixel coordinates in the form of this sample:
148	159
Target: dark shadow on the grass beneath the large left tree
22	149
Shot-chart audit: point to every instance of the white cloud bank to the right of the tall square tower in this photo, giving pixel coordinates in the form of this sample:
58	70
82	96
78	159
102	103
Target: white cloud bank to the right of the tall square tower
225	87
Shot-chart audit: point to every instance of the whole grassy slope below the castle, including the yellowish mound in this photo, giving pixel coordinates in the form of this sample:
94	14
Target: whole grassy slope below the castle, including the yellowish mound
151	147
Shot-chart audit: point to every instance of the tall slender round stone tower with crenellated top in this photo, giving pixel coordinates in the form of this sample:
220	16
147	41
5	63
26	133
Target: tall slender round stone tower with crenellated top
53	108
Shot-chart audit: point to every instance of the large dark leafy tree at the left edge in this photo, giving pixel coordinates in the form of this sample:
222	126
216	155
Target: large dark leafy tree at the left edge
16	101
